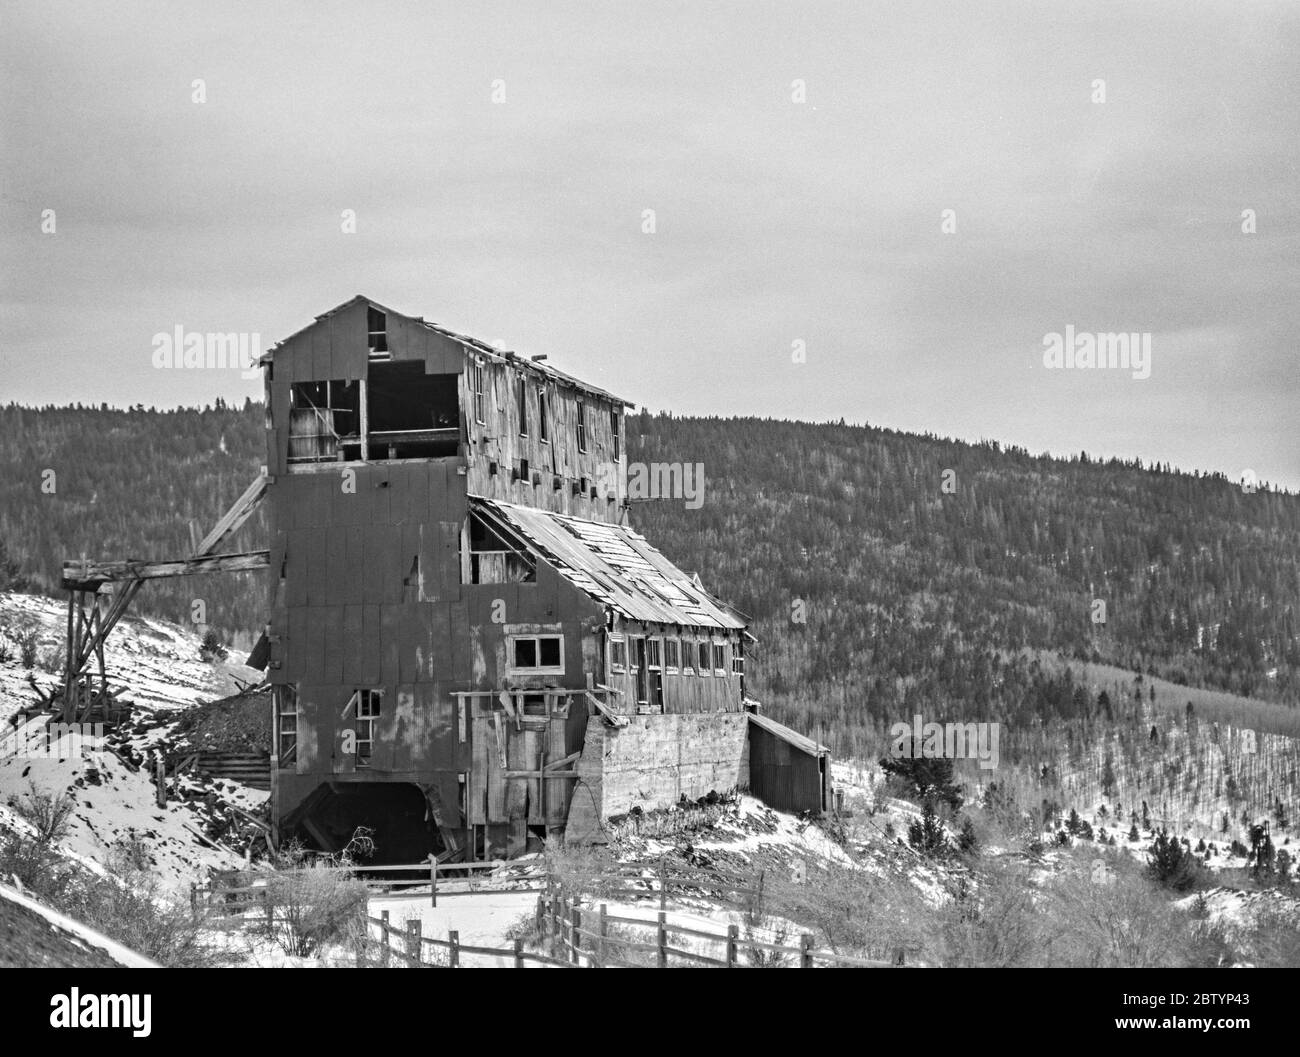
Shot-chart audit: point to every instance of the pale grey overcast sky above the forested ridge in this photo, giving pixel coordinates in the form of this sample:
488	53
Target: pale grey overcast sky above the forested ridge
777	222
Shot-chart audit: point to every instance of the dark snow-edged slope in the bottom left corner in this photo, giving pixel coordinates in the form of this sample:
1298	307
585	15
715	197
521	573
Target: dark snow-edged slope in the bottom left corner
37	937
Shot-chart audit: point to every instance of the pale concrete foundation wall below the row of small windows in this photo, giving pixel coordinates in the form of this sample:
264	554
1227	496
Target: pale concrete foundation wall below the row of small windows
653	763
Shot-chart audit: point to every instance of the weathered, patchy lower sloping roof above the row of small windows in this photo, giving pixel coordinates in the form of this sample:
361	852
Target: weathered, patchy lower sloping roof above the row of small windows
616	566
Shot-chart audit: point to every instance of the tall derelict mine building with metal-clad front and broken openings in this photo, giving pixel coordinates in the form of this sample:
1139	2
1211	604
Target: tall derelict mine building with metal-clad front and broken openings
470	649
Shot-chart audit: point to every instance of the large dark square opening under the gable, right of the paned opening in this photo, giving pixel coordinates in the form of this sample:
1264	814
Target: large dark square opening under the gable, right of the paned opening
411	415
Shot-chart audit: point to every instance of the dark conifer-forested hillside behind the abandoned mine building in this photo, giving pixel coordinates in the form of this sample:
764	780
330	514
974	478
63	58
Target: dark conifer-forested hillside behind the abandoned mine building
877	591
